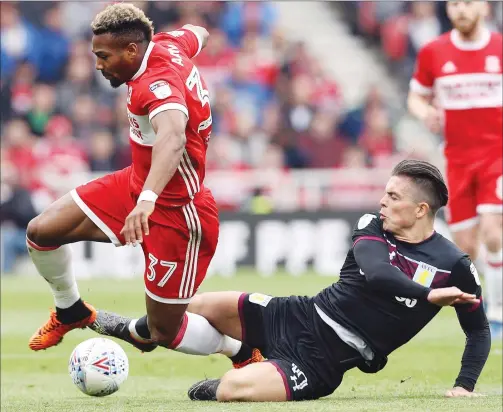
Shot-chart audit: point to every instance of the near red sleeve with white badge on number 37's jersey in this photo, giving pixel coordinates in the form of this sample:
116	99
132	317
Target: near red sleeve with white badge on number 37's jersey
161	92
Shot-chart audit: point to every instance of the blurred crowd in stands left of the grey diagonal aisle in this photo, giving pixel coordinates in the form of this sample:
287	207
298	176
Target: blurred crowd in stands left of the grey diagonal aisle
274	106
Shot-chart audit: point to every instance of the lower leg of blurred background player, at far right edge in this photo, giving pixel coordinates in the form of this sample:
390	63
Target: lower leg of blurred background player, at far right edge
490	228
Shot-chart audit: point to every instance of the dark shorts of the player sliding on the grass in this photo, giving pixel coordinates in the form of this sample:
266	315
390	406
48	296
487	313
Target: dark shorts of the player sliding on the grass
307	353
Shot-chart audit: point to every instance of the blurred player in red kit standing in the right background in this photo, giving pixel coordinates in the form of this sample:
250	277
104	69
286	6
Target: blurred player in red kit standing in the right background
457	89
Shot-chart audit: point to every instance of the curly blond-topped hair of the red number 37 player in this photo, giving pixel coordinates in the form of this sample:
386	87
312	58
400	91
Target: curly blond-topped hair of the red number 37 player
126	21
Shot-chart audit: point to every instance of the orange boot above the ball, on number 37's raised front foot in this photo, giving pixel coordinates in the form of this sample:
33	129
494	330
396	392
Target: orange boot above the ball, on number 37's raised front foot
53	331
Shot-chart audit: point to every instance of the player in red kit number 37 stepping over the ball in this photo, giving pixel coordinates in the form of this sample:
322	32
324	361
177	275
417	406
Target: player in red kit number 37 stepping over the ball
159	201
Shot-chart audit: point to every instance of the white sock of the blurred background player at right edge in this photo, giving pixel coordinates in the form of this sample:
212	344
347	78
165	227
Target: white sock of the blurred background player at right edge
494	274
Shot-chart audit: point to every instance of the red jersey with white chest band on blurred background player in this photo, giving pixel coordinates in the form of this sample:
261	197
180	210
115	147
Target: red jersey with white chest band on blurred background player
466	81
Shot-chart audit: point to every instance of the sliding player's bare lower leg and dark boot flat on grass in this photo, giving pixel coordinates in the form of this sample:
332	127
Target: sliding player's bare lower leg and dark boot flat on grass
260	382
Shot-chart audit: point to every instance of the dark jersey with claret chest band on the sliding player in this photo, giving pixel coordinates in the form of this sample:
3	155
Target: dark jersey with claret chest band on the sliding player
383	320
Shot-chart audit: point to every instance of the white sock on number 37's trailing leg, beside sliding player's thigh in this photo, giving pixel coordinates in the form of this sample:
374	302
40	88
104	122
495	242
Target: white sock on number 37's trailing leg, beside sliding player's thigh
198	337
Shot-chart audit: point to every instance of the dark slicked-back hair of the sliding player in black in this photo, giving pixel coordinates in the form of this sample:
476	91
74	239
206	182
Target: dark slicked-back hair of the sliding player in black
427	178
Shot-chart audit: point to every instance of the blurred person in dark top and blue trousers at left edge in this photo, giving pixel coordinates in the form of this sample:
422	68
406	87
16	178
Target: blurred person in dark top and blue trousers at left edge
16	210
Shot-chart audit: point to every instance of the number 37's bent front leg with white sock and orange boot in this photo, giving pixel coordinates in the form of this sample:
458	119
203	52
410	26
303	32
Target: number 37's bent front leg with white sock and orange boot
48	236
